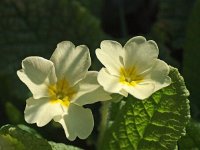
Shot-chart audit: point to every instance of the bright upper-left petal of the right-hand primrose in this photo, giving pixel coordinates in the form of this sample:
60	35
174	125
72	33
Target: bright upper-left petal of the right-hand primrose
110	55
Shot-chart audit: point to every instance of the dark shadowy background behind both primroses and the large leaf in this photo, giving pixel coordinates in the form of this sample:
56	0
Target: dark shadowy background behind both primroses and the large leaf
34	27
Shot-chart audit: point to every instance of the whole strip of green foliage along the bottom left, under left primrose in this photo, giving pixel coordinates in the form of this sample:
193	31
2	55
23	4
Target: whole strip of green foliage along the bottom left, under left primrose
23	138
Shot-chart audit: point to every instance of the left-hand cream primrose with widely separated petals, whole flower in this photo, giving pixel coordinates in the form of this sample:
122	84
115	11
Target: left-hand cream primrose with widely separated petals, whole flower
60	87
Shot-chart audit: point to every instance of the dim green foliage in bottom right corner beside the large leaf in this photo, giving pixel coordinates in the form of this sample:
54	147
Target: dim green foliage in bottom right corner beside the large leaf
192	139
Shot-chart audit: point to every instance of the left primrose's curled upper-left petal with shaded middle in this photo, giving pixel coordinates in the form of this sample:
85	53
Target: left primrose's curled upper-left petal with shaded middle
37	73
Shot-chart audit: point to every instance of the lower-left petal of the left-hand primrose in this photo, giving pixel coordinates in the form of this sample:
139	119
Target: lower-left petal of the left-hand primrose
41	111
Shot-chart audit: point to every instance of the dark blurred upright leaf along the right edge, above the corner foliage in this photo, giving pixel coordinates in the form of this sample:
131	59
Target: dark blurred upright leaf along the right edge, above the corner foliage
191	57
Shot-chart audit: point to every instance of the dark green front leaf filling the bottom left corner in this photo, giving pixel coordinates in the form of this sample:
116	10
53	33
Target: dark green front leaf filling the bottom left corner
21	138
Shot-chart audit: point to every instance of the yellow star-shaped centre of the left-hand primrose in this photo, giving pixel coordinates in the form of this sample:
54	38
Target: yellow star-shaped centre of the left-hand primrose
61	92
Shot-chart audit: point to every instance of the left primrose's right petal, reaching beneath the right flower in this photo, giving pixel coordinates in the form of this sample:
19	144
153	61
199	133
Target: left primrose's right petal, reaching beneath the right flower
89	90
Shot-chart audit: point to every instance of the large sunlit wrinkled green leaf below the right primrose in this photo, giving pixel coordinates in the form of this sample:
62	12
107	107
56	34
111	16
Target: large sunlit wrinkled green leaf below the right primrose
155	123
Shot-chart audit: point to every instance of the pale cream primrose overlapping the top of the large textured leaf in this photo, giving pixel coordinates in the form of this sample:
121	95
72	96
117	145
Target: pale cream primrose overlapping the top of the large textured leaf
133	69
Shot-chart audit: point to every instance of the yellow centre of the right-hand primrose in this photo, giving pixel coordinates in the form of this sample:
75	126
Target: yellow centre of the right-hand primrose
129	76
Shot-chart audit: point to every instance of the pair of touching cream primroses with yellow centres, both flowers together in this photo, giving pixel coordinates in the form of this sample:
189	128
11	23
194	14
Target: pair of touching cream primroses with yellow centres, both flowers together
62	85
